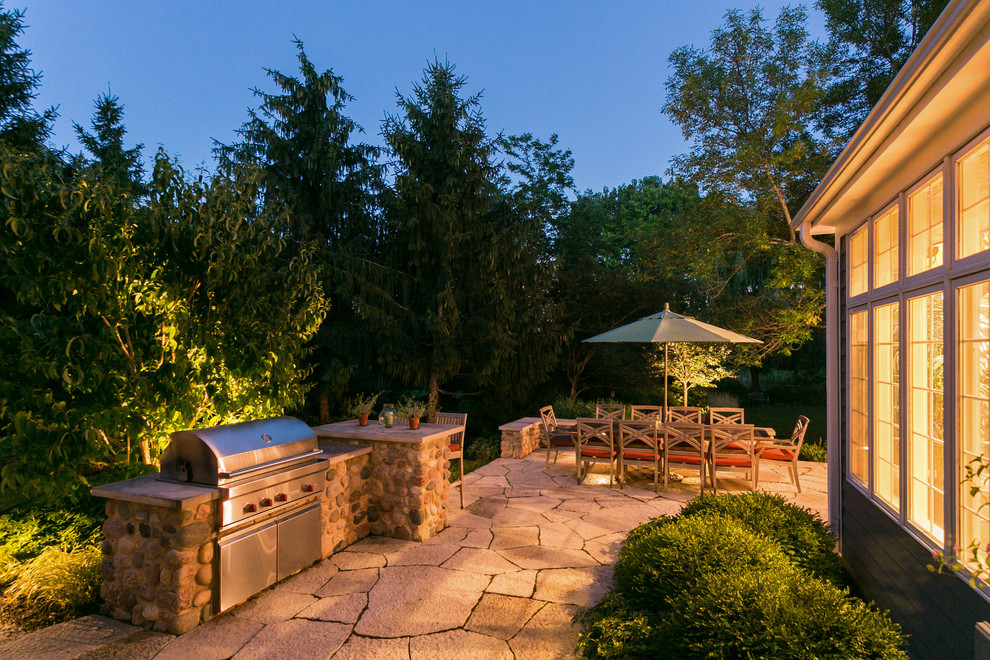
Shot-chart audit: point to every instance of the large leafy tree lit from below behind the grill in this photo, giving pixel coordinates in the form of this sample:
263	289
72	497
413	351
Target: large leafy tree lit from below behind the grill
131	322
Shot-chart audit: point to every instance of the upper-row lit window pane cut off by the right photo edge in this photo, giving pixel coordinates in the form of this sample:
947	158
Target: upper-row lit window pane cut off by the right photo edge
974	201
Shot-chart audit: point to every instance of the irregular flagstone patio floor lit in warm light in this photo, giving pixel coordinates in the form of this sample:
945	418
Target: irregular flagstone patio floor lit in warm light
503	580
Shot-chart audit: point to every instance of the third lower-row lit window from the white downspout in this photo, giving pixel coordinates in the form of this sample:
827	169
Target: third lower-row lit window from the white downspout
925	415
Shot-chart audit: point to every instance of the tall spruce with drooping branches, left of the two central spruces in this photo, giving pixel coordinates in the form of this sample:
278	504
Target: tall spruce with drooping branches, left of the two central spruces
300	141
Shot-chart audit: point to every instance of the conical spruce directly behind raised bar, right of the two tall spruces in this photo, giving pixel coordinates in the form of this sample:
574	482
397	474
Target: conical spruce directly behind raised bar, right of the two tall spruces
463	258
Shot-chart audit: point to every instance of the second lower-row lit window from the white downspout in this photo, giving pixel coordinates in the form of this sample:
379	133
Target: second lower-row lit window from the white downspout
886	405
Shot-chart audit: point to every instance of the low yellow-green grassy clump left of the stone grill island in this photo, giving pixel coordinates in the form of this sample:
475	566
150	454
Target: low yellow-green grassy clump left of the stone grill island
55	584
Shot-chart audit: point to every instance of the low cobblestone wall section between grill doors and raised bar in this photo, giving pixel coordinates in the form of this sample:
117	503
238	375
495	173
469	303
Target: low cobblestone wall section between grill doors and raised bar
346	516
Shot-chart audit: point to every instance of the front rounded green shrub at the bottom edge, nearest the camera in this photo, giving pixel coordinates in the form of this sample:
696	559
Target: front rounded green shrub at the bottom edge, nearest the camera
704	584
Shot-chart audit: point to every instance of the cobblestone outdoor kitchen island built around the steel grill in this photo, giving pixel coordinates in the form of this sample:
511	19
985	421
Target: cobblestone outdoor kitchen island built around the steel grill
163	540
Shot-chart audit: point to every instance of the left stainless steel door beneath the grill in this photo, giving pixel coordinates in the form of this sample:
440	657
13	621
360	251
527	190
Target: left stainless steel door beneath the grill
248	564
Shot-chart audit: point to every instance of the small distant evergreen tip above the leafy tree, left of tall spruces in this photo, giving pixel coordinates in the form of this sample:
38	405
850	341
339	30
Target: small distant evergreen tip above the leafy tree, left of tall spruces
115	165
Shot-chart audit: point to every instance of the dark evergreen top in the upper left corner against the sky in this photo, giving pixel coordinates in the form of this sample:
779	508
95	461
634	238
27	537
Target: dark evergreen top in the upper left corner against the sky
21	127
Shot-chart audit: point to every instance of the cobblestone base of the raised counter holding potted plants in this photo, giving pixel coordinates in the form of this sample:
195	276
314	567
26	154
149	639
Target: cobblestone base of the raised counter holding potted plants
411	482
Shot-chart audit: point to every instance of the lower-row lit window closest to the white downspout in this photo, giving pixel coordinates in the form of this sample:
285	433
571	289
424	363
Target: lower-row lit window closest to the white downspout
859	448
